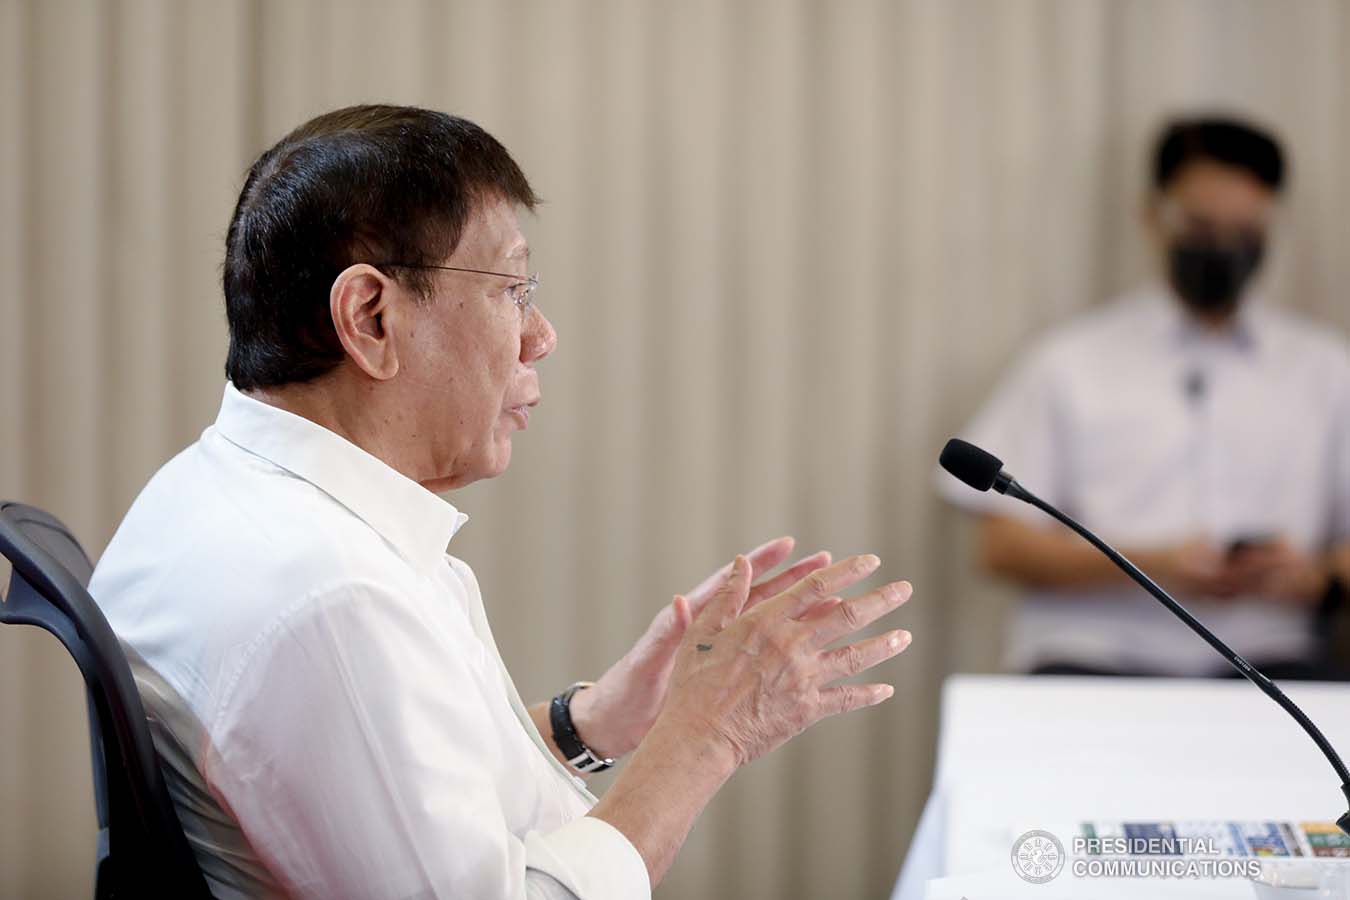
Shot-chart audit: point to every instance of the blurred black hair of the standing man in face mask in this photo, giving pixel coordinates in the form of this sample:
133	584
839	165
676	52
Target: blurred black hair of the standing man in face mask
1218	140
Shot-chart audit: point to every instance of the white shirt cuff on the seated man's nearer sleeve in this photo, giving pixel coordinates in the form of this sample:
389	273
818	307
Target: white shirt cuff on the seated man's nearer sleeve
592	859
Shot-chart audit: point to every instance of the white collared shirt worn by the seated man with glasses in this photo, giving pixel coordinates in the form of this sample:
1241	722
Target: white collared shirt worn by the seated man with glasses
326	694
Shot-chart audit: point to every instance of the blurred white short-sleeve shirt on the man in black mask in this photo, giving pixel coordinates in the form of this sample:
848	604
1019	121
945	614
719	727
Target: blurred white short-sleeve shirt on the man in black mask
1151	431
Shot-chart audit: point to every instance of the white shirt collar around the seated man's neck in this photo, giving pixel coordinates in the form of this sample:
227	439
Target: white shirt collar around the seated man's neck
415	522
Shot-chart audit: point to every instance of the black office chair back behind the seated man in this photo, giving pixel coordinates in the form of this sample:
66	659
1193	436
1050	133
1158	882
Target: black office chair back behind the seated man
142	851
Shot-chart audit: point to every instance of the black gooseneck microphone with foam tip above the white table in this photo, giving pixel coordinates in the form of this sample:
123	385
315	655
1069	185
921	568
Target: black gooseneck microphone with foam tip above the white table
982	472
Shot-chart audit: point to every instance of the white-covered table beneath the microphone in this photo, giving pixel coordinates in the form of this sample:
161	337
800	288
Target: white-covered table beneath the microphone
1020	754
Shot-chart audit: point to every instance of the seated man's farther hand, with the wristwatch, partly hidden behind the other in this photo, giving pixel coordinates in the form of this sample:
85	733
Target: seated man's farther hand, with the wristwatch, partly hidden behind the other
614	717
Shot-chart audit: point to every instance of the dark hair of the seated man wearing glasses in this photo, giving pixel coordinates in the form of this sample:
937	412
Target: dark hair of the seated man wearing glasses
364	184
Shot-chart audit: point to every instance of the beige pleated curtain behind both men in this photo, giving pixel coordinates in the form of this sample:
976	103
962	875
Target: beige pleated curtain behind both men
788	248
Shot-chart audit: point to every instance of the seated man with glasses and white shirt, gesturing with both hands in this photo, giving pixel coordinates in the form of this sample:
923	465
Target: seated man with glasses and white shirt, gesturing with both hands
330	708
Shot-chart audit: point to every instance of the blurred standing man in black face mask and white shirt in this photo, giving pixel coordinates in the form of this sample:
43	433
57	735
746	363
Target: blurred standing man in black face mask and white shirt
1195	427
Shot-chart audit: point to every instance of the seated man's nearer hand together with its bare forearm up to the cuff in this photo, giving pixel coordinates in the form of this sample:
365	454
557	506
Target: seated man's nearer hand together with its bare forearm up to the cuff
747	678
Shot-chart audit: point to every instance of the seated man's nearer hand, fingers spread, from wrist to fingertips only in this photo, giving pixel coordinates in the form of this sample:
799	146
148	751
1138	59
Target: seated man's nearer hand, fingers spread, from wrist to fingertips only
753	679
